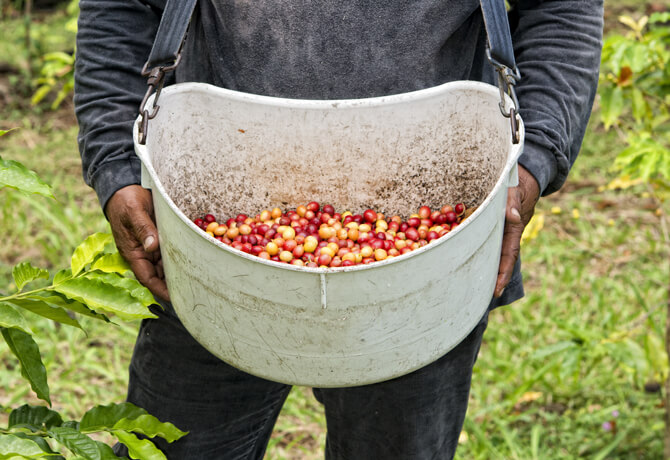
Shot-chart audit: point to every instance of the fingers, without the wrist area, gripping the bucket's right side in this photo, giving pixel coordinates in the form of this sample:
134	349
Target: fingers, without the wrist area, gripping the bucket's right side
511	244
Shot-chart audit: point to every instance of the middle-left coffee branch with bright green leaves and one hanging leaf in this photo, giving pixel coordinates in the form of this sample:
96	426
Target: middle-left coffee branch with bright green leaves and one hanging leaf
80	290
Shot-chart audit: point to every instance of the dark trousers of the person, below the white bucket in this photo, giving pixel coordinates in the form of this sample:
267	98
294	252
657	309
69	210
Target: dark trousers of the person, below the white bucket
230	414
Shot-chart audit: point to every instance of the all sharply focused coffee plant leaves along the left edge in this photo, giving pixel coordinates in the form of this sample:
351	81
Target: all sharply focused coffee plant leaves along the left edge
94	286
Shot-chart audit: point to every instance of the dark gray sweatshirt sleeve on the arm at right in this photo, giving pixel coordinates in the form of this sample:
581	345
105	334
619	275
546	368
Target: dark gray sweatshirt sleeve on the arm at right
557	46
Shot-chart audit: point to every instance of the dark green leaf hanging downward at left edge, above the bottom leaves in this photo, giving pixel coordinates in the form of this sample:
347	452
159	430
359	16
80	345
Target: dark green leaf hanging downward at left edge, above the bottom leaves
27	351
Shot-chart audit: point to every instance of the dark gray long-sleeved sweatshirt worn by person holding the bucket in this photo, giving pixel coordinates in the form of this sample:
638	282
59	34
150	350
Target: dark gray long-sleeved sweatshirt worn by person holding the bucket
327	49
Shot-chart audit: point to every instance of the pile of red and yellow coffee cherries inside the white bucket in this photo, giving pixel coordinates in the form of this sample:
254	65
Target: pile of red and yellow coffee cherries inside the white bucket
316	236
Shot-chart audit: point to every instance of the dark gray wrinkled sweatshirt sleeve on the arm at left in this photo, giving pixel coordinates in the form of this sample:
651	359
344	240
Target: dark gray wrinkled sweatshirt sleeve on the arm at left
114	39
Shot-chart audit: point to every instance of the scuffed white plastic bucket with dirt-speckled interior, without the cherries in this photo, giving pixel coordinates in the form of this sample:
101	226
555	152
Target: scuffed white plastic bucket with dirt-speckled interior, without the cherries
214	150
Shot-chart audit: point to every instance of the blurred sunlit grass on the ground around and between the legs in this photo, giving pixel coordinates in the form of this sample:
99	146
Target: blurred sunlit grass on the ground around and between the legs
583	348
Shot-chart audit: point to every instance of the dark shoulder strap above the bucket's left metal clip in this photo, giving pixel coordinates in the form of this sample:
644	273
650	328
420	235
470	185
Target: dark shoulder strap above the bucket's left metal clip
171	33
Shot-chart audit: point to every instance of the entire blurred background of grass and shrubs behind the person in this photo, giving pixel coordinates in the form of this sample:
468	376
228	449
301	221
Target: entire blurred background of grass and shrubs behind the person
574	370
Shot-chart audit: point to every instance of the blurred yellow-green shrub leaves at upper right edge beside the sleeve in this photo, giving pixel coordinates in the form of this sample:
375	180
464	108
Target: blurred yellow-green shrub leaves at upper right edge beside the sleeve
636	68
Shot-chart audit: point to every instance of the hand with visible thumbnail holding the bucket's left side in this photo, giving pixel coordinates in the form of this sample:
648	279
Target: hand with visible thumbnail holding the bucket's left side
131	215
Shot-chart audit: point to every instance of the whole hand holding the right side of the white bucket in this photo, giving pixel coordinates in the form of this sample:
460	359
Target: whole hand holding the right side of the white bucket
521	202
